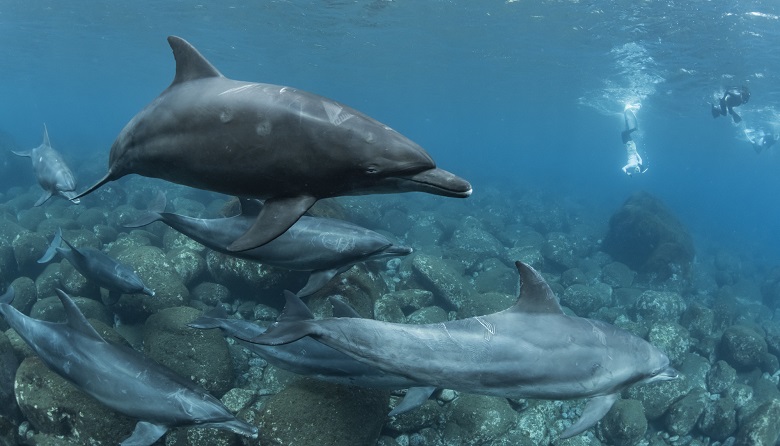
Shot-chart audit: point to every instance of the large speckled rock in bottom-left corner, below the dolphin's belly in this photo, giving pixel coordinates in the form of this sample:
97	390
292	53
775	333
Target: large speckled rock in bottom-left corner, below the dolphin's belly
54	406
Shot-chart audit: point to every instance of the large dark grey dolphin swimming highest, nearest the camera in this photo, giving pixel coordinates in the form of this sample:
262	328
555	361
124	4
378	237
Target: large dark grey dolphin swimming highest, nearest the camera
265	141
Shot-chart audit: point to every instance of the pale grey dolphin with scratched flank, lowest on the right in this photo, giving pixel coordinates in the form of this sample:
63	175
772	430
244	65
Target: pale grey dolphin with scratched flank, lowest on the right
531	350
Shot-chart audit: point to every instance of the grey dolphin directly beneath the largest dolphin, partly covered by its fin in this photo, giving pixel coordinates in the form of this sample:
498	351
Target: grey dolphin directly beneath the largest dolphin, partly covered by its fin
324	246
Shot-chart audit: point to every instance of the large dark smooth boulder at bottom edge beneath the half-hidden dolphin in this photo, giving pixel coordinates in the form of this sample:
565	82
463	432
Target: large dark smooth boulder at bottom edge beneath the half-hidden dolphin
334	415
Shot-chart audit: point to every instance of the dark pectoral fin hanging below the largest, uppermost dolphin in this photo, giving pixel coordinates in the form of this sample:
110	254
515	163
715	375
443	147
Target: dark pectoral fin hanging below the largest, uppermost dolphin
277	216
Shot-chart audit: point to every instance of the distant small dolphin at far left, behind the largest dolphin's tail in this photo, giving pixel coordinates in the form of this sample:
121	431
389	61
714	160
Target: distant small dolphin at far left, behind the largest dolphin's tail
52	173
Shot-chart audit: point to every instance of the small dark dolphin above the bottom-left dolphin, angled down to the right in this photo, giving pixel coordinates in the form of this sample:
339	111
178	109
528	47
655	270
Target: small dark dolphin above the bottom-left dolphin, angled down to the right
99	268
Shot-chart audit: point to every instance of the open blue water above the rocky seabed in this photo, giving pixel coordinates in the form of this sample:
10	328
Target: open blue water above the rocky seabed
504	93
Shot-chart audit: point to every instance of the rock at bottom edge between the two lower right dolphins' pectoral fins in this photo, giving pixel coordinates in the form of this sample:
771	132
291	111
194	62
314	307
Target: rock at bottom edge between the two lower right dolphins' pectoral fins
477	420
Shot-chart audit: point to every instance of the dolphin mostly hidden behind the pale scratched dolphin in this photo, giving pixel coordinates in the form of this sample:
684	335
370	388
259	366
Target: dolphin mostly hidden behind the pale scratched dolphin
311	358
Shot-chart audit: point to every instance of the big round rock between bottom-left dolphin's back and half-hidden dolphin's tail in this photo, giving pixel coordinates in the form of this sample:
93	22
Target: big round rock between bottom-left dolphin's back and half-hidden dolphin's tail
199	355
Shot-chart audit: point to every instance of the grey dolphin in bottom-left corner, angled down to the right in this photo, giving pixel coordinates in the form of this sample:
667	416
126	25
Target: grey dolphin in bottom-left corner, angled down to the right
120	377
